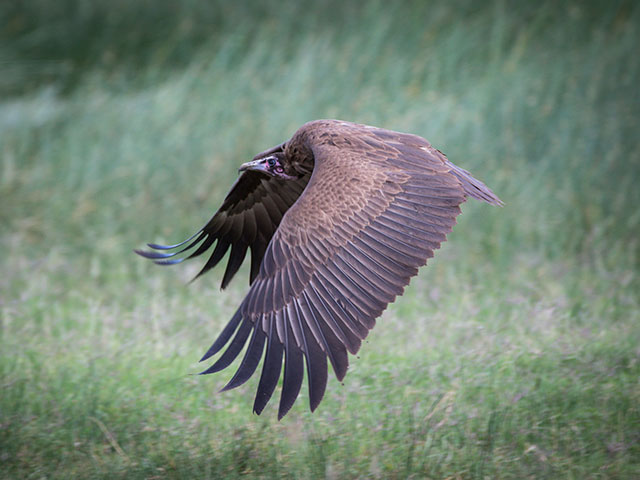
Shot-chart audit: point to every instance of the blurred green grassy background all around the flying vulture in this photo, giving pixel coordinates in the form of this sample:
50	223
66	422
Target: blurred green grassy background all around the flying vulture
514	354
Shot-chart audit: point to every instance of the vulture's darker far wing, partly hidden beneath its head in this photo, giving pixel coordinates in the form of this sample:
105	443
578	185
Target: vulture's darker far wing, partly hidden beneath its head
247	219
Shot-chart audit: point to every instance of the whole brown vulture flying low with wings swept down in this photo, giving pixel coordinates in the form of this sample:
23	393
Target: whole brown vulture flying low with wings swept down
338	219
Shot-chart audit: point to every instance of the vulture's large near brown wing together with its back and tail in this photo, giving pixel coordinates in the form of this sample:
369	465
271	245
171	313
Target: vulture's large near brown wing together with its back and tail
376	207
